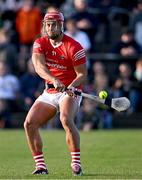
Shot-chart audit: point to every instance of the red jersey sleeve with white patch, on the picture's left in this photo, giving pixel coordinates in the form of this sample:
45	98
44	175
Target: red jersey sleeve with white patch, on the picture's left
38	47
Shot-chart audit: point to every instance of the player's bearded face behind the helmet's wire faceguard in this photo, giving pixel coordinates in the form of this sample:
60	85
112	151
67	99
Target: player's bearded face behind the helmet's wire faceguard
53	29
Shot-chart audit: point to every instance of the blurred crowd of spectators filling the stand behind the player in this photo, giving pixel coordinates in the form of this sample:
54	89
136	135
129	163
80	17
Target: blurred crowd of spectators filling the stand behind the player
101	26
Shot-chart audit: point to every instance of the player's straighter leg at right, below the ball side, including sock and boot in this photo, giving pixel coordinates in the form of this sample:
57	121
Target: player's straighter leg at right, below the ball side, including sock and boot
68	109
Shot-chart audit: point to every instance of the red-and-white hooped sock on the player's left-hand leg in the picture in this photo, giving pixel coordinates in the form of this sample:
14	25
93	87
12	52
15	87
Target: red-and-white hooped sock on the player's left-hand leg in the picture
39	161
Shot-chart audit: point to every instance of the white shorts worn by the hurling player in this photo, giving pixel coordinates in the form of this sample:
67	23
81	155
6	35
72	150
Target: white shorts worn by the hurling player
55	99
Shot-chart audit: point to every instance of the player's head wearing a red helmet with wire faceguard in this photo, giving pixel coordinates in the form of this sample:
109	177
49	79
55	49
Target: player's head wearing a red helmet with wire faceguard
53	24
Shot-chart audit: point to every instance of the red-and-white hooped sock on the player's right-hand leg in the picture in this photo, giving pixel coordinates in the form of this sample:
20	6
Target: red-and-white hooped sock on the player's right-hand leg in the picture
75	155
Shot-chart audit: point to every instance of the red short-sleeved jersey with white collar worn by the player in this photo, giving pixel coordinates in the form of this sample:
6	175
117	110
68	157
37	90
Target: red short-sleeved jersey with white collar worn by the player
61	59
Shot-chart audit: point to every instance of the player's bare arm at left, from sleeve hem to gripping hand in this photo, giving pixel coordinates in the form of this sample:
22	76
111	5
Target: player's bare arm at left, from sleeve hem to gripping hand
40	68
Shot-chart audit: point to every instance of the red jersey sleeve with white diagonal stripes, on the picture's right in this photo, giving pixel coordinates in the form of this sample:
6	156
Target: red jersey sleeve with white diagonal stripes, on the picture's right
78	55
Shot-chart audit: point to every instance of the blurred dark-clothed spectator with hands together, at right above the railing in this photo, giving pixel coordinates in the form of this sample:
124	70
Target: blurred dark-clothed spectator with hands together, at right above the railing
127	46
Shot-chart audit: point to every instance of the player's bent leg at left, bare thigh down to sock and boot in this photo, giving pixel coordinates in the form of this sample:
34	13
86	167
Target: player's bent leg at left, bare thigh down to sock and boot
38	115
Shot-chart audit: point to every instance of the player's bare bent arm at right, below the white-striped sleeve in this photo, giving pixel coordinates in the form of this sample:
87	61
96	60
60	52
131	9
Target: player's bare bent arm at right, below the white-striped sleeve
81	72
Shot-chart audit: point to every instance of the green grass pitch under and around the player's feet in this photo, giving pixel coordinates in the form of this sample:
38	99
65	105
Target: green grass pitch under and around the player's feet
105	155
